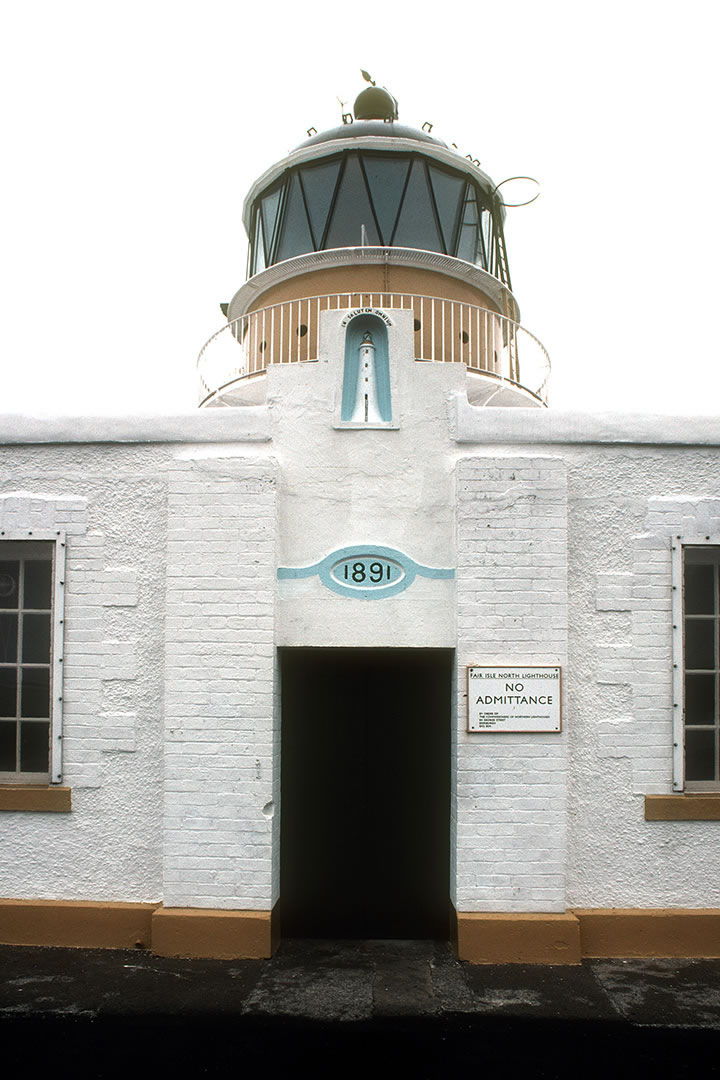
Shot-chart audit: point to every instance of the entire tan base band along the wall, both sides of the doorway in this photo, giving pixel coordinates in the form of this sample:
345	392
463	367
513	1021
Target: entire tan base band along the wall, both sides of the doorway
482	938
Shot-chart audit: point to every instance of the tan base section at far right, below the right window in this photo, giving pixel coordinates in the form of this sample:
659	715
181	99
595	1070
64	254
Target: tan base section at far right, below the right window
660	933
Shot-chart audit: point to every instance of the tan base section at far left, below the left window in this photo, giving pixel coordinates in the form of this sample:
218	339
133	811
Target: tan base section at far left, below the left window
75	924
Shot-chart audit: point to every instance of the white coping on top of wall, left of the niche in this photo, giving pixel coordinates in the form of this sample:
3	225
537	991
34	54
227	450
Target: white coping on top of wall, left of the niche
239	425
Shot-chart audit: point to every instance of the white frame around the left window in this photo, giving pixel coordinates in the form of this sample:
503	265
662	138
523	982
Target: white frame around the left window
57	537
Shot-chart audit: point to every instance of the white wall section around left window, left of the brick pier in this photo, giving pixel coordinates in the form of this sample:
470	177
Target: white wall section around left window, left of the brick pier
108	502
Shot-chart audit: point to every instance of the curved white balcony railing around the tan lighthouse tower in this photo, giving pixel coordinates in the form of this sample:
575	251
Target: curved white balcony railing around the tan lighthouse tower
445	332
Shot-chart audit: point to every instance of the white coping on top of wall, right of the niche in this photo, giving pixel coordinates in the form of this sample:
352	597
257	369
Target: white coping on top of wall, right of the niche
472	424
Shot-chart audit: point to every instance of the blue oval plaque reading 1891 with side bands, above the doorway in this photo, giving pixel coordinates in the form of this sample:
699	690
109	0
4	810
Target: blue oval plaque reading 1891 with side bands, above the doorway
365	573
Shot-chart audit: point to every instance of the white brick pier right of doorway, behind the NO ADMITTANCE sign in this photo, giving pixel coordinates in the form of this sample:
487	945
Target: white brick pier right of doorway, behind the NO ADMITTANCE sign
512	609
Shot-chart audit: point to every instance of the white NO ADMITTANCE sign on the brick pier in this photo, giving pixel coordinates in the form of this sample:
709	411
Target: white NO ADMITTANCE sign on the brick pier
514	699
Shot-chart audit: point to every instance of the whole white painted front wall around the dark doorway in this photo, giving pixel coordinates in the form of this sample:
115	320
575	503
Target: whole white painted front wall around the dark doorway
561	530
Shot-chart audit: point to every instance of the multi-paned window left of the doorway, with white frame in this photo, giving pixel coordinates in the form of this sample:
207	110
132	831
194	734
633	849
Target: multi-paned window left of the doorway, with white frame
32	589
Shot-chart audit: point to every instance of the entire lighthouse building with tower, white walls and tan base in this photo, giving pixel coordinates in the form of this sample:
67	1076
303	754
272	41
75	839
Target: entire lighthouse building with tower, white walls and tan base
373	644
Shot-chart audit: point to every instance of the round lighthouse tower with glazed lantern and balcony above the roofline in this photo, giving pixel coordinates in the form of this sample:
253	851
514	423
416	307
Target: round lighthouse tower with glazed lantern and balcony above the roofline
376	215
